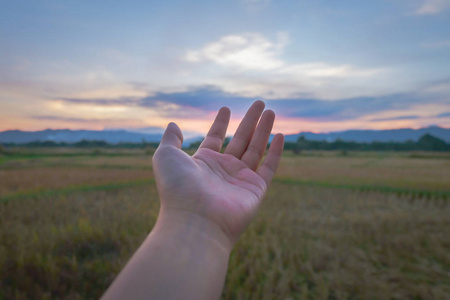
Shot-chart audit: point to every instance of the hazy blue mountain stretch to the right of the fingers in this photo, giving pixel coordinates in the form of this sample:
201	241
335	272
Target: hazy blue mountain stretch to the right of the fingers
368	136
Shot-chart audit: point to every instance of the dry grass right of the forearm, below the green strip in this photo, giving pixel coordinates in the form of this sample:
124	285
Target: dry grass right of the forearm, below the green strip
310	243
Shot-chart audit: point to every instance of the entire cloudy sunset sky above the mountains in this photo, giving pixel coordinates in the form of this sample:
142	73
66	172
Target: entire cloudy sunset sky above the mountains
320	65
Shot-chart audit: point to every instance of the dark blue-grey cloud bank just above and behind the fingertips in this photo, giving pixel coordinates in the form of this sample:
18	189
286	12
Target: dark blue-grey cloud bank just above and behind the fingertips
208	99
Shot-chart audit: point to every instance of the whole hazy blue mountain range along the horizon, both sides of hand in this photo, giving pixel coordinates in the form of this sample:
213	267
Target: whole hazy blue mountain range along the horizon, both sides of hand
117	136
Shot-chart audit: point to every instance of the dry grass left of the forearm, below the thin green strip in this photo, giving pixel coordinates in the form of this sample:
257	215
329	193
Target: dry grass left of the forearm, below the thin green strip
71	246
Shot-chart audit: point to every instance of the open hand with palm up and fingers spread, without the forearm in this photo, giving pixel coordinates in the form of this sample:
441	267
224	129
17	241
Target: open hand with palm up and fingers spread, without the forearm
222	189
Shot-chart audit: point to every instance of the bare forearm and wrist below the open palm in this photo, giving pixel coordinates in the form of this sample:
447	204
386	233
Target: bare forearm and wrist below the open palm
184	257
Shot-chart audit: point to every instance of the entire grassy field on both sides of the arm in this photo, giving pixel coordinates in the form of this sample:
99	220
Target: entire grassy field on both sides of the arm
332	226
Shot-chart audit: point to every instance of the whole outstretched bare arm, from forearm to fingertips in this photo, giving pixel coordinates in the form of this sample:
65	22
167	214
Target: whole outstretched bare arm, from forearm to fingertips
207	201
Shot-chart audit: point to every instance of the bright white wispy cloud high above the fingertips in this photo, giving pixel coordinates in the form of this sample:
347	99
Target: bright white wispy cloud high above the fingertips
251	65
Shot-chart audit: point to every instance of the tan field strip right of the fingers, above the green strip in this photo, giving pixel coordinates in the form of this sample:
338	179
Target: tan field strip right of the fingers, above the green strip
379	170
